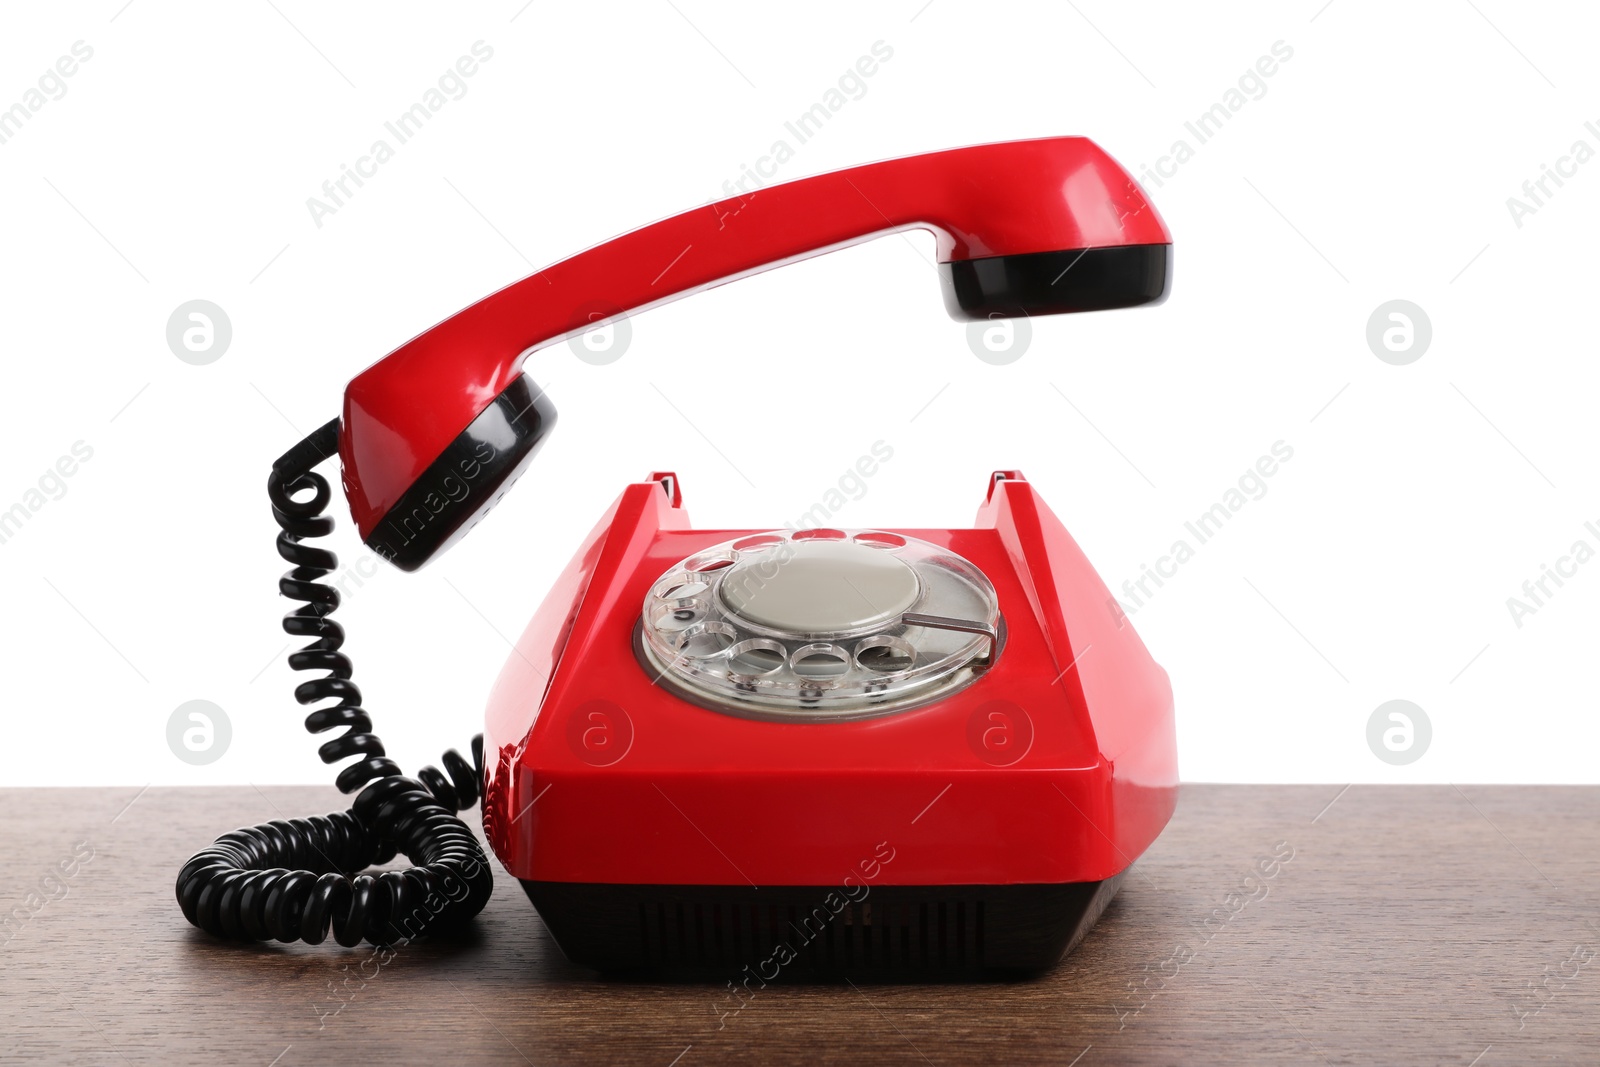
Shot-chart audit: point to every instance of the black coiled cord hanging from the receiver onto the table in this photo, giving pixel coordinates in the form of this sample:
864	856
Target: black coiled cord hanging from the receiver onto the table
295	879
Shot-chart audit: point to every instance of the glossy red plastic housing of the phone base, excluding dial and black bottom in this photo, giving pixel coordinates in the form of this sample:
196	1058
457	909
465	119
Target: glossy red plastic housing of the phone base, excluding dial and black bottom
1058	765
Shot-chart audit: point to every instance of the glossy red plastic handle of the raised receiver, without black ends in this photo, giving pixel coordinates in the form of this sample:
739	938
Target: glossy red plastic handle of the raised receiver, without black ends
1052	194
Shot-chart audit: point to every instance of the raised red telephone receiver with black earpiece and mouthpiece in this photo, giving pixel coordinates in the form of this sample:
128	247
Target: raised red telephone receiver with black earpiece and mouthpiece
439	430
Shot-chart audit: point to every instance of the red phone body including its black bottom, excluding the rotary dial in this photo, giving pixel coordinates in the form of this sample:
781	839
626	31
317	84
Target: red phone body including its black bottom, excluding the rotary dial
983	831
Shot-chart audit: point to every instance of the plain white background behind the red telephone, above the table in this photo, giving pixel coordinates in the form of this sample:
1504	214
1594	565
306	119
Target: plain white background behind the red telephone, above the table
1375	167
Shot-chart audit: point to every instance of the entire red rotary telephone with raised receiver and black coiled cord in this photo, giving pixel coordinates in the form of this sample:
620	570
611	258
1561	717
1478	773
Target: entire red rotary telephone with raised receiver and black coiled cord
830	748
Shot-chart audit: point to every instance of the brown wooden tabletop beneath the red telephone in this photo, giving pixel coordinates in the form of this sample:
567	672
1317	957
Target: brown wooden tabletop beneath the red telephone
1409	925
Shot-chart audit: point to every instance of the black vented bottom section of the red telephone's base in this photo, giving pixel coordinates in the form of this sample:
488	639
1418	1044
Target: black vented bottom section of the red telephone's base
734	932
